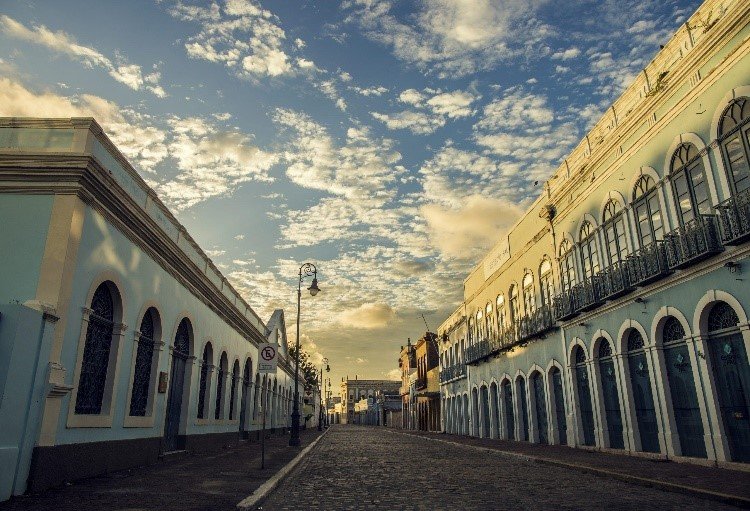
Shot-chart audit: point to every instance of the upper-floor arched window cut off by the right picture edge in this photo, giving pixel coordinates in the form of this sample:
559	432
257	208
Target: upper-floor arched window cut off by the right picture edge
734	130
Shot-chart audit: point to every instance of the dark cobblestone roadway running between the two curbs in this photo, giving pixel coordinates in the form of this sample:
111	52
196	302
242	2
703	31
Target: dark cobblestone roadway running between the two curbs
363	468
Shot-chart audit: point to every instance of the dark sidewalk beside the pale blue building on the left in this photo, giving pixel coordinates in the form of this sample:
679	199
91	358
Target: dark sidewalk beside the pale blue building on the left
215	481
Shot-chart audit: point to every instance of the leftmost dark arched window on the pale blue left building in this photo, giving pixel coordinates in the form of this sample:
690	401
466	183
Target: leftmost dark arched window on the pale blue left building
96	351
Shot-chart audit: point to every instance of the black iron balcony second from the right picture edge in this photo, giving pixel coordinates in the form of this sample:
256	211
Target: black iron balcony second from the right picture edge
693	242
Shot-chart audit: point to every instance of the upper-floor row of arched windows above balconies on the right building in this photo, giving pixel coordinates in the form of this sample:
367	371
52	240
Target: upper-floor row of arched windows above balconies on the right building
686	194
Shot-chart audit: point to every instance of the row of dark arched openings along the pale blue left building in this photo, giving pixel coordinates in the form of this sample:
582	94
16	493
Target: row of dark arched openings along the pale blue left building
225	393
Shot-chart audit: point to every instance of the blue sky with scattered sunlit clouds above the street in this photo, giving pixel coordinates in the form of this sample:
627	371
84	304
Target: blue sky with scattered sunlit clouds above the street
391	143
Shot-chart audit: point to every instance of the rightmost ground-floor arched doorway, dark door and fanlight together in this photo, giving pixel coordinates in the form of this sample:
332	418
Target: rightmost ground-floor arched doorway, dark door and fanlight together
732	378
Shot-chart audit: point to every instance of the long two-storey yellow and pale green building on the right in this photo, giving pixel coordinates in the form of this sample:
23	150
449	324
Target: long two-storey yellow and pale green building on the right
614	314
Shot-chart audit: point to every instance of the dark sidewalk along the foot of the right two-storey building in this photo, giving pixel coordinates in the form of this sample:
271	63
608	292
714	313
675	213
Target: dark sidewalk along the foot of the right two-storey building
730	486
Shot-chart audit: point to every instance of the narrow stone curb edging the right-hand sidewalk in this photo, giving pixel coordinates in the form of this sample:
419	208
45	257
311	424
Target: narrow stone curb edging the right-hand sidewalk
724	498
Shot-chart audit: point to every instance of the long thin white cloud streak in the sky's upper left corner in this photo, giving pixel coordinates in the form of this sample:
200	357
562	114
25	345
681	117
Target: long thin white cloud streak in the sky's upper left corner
128	74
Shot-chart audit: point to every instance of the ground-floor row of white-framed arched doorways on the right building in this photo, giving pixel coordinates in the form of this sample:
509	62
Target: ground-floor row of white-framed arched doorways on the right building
673	392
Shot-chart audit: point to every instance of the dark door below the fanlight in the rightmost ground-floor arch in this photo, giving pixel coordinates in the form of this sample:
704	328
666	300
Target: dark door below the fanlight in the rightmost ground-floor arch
732	377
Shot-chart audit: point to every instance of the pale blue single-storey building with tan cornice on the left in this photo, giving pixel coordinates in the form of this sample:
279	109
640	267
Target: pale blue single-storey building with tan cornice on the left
119	338
